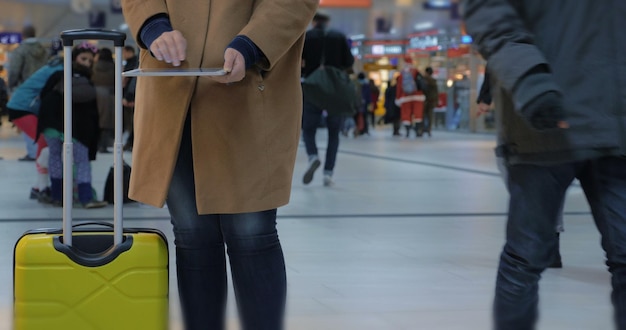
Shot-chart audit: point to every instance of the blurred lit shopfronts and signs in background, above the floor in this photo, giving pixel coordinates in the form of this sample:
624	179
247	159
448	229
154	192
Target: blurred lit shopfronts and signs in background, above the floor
385	35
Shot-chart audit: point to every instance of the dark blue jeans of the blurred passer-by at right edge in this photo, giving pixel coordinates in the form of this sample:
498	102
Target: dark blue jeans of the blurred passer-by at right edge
536	196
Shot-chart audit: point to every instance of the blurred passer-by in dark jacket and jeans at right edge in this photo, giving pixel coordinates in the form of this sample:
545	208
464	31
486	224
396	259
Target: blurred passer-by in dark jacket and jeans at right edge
562	116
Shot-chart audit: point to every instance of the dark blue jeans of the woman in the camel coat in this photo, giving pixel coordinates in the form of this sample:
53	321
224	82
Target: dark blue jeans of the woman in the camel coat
256	258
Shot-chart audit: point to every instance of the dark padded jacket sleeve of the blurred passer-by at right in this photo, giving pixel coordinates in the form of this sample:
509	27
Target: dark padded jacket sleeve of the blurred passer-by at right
502	38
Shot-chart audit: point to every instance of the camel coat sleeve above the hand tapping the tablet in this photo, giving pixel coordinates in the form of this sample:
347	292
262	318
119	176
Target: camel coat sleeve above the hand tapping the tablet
137	12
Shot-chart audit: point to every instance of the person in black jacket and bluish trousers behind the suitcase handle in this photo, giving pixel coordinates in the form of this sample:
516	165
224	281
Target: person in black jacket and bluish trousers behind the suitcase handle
84	126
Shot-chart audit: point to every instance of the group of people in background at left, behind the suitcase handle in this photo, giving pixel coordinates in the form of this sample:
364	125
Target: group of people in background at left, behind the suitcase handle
34	105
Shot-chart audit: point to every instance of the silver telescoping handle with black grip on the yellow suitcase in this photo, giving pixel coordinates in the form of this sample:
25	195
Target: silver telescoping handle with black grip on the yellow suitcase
68	38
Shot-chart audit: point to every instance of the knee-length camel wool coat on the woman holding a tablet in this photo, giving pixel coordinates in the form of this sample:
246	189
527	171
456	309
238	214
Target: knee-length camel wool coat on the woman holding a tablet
245	134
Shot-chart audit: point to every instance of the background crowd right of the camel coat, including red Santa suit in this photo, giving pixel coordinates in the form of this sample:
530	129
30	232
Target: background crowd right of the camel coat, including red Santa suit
410	98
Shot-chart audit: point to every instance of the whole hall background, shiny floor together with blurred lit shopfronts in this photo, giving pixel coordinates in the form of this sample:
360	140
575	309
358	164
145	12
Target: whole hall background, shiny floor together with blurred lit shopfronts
410	236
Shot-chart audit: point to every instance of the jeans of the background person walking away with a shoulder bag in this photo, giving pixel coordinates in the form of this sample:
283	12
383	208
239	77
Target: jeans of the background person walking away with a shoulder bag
311	117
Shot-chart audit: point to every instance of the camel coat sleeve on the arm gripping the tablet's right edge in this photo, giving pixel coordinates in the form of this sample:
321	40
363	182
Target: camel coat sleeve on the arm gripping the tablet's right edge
276	25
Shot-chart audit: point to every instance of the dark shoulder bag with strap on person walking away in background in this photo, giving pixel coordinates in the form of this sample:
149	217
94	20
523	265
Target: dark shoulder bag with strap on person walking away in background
330	88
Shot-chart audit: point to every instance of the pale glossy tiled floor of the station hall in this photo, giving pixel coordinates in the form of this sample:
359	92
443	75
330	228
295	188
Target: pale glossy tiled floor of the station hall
408	239
